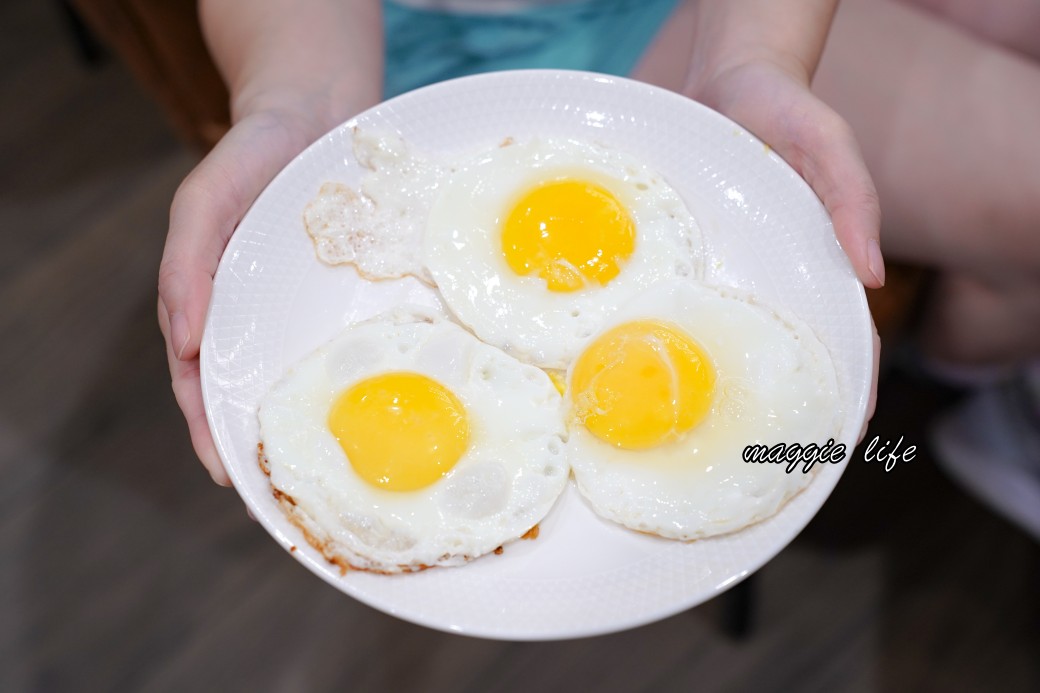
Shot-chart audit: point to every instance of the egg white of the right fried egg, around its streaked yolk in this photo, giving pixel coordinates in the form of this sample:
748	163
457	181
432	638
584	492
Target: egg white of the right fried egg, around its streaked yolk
775	383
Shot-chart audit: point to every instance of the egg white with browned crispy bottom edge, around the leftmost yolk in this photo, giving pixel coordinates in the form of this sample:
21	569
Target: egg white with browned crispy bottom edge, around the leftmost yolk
510	477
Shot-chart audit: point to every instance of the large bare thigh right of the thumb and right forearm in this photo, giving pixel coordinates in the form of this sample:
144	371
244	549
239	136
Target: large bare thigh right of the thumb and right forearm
948	124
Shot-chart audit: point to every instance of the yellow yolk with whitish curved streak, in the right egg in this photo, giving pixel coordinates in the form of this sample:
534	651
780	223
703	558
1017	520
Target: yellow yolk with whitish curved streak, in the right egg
642	384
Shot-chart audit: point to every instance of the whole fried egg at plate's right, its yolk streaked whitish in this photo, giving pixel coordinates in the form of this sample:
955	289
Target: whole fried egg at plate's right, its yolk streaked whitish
666	398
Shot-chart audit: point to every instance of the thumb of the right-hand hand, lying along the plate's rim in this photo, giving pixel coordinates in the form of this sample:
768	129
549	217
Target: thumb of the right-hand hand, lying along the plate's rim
831	163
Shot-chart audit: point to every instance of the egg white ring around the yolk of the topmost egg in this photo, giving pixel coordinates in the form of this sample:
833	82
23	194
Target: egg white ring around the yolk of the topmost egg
463	246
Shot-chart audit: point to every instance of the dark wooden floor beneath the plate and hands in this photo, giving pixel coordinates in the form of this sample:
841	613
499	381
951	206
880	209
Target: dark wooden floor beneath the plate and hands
123	569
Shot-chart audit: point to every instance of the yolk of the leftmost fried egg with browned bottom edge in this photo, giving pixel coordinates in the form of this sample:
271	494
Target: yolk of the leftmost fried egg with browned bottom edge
401	431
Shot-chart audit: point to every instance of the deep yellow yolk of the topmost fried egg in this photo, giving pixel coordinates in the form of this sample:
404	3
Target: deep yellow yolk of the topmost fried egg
568	233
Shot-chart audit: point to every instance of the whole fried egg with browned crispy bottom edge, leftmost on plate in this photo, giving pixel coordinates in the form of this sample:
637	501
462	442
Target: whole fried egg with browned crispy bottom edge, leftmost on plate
505	418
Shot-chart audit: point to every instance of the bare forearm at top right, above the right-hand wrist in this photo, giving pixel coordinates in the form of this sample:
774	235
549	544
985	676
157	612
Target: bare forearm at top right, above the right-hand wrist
790	34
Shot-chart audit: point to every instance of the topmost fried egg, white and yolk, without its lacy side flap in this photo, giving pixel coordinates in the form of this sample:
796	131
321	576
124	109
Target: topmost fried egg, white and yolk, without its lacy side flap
534	245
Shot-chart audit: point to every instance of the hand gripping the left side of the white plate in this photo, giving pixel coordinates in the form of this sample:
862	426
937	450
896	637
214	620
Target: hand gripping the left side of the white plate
205	212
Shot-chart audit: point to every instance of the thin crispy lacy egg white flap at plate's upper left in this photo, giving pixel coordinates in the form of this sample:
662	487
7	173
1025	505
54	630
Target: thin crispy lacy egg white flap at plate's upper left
379	226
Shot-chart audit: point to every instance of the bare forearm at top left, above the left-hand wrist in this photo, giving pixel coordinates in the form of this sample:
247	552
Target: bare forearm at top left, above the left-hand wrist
321	59
